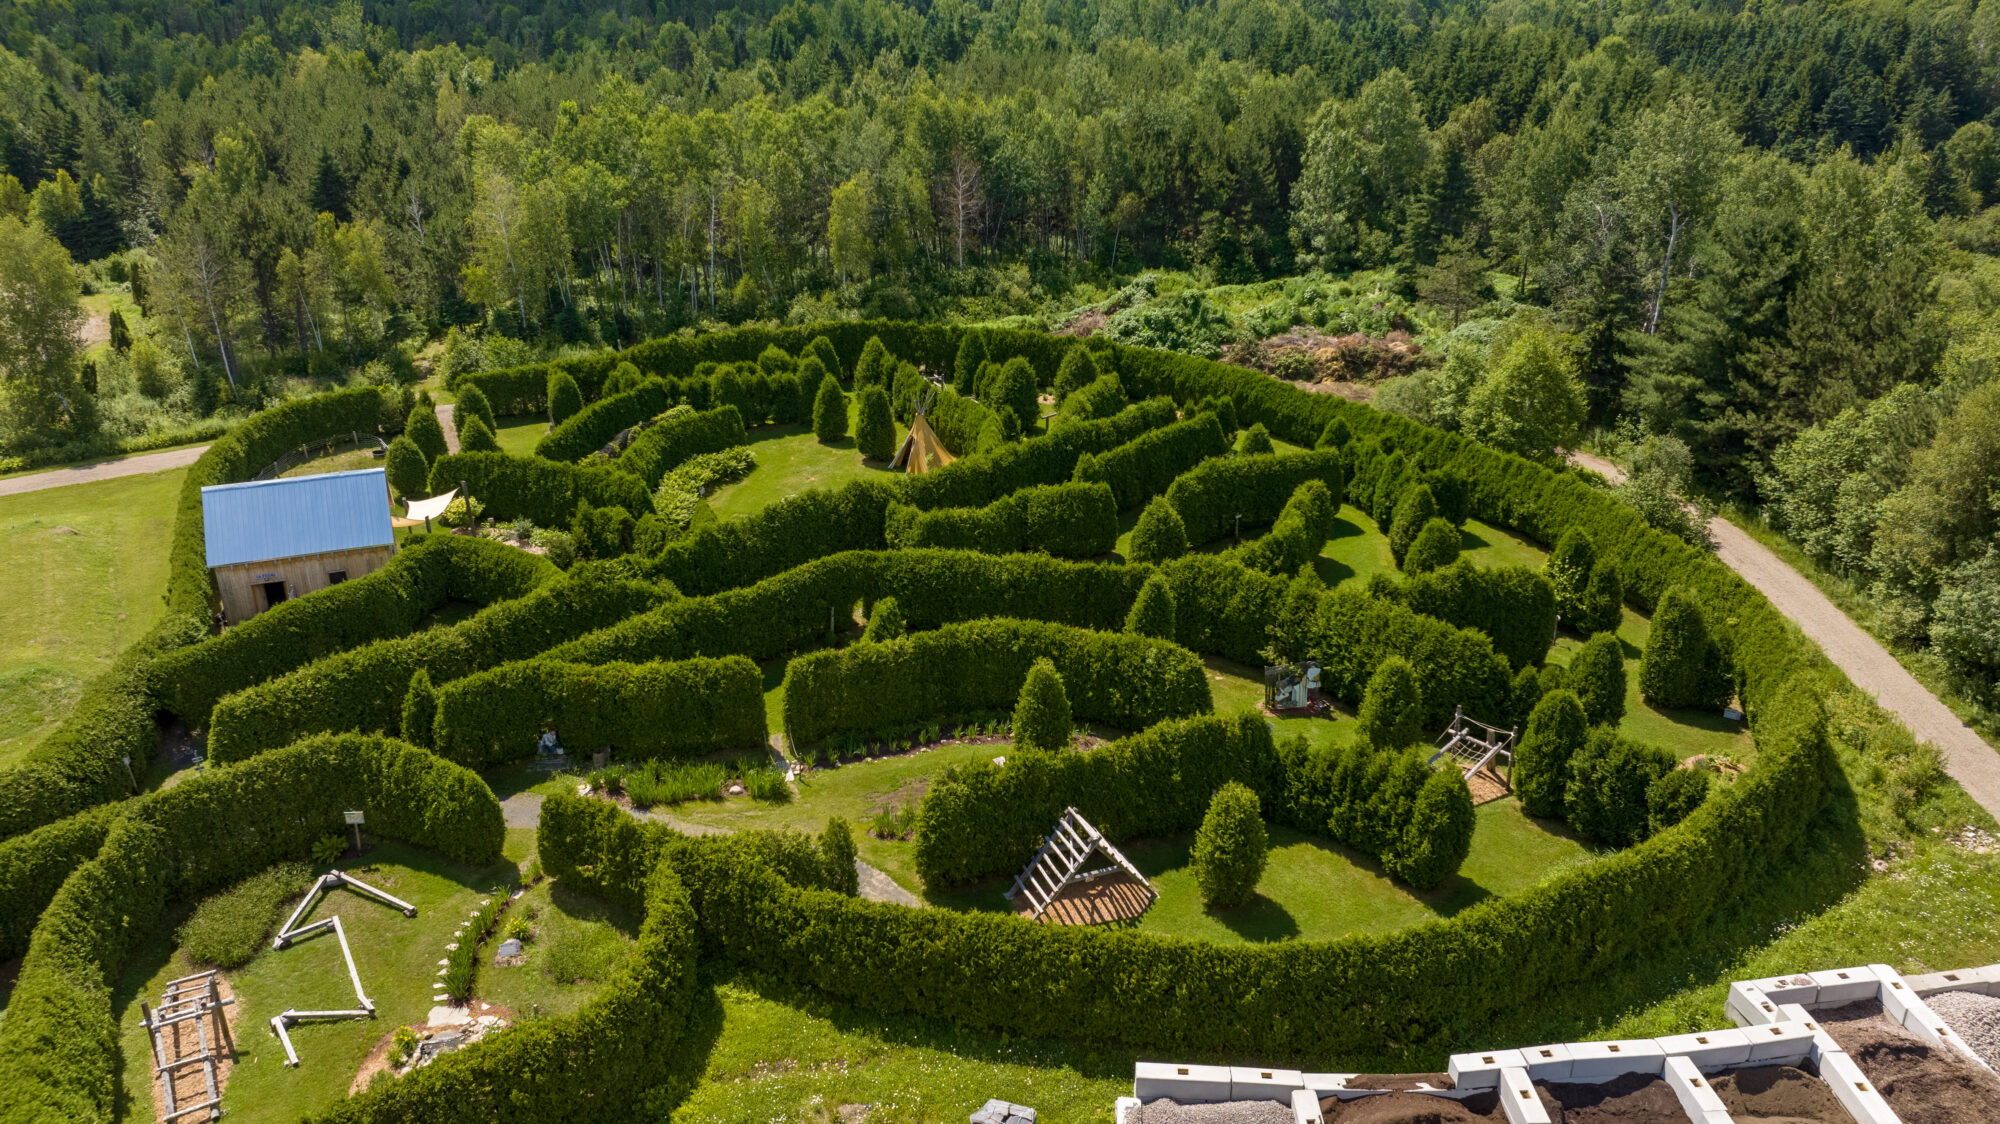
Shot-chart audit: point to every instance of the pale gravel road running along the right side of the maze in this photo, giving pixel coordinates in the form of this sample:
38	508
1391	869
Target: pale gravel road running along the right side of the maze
1967	757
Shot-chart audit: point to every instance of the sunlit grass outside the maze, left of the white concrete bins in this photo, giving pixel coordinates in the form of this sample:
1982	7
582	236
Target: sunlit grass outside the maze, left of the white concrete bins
789	1057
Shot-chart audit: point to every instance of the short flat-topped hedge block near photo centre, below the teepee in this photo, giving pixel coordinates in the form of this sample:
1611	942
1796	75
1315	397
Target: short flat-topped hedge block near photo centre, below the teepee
1069	521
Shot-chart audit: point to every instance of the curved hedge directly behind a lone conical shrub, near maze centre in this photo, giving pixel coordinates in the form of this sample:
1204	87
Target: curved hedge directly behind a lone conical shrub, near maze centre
961	669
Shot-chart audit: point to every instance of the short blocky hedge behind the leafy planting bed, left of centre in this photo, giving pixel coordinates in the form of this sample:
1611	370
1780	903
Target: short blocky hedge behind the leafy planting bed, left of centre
647	711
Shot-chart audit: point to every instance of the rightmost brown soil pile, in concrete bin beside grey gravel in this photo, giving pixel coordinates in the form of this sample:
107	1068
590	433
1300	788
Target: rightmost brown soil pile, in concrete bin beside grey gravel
1919	1083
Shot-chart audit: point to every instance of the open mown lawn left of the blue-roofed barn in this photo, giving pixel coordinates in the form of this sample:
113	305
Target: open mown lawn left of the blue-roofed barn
81	579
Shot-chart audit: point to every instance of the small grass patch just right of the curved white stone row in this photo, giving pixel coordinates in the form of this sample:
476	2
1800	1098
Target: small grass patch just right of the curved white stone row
577	943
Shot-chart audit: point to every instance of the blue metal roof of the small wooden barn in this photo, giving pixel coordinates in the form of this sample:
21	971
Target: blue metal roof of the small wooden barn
297	515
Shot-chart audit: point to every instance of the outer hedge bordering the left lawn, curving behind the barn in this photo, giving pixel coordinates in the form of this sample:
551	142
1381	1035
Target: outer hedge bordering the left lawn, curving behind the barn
79	765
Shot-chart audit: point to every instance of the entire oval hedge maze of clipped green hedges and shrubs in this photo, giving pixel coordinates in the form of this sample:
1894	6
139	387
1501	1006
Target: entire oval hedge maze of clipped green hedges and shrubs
997	561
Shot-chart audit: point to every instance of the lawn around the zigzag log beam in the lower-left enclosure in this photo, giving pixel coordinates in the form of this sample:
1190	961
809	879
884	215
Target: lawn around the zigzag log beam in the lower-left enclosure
397	959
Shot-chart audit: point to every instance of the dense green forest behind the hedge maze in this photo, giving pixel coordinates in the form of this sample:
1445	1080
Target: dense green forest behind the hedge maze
1745	245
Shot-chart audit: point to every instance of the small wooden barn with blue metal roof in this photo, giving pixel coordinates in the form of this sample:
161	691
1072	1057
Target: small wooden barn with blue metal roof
271	541
